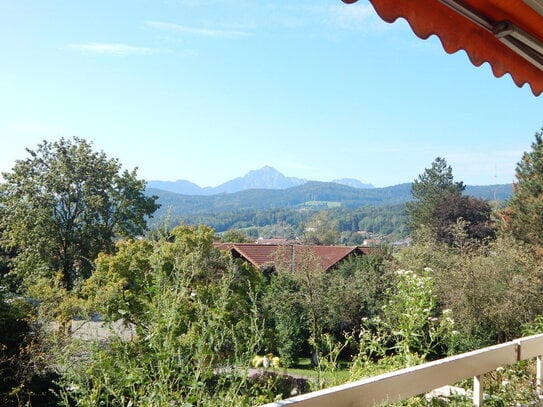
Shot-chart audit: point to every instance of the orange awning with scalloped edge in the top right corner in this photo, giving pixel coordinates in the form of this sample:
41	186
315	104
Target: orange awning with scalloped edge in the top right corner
508	34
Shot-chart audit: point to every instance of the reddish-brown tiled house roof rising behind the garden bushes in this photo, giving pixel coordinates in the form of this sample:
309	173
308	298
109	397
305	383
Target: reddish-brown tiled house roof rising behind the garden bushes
268	255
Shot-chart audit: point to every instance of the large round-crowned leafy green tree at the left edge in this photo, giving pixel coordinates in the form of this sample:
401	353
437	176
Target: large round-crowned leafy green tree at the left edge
66	203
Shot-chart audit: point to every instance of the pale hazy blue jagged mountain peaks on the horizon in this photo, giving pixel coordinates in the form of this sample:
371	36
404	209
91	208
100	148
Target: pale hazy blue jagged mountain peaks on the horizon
264	178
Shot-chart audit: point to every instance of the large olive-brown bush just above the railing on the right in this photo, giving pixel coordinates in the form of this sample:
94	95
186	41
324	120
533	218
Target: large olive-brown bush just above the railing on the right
492	288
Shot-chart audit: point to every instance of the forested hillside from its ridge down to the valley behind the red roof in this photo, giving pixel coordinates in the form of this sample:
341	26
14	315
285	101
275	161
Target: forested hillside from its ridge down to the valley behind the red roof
268	213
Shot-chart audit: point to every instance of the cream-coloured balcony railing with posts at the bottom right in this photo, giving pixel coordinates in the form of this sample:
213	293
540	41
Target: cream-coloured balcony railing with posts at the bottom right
405	383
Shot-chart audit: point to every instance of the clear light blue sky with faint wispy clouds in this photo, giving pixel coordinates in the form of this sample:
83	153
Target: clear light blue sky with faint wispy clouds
207	90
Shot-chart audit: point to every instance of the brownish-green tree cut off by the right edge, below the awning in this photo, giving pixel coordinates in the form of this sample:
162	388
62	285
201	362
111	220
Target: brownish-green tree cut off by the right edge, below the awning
523	216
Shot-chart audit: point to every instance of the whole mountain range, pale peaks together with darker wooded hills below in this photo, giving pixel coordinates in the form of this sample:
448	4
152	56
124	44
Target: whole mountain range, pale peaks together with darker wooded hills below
267	189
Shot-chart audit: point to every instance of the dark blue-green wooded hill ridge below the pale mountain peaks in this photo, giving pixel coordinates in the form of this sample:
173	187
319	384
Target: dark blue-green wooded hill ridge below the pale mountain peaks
302	196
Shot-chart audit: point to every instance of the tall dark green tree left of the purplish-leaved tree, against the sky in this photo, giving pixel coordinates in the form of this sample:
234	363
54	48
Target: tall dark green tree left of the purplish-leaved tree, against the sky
429	191
